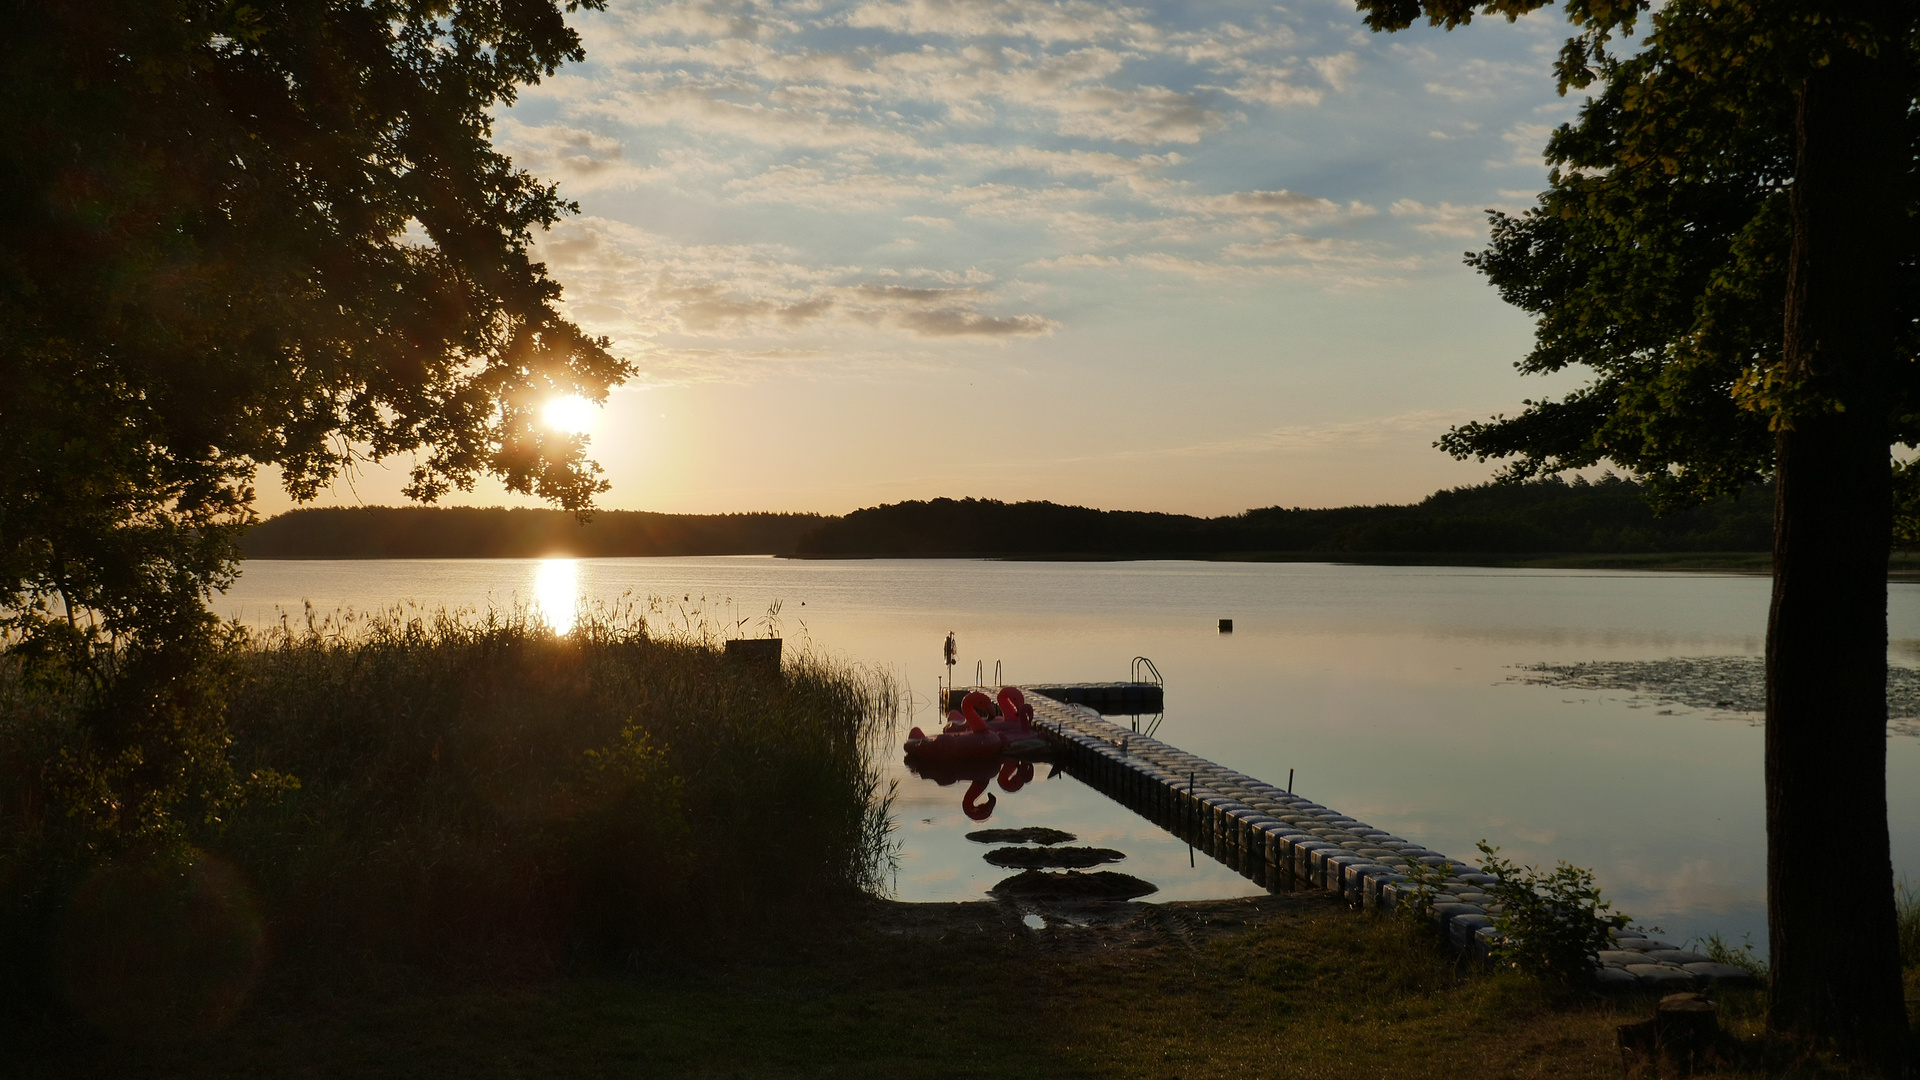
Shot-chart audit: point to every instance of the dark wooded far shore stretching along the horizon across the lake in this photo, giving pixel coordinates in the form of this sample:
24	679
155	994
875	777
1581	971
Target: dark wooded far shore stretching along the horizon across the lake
1610	516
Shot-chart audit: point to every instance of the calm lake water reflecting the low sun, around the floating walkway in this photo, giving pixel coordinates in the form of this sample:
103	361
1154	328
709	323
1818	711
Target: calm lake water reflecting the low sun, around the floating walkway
1397	695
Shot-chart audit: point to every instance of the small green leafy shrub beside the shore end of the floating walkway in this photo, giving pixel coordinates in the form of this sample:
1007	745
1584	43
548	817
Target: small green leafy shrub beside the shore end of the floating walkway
1552	923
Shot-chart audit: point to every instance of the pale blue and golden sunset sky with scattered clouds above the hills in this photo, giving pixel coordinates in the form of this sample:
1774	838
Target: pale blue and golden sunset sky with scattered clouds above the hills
1172	257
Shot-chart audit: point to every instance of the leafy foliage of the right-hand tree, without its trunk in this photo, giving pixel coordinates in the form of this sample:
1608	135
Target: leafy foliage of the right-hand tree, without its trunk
1658	257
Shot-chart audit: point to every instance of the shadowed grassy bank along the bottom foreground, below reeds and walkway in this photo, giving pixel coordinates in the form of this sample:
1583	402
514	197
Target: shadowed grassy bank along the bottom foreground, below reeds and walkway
1282	987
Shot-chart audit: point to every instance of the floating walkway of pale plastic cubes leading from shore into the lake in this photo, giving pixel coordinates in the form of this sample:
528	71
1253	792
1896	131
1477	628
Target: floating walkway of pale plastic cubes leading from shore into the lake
1287	843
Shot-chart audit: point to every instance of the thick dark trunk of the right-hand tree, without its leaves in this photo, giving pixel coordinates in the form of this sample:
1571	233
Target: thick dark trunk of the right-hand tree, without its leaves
1829	864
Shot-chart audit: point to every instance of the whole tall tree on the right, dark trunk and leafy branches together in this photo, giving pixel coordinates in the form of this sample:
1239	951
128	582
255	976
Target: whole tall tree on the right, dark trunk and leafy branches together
1727	245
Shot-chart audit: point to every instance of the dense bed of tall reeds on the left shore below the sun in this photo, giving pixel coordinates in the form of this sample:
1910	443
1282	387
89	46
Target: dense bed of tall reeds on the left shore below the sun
479	793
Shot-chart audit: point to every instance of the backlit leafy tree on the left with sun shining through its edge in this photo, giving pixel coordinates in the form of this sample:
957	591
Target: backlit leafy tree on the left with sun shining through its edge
243	235
